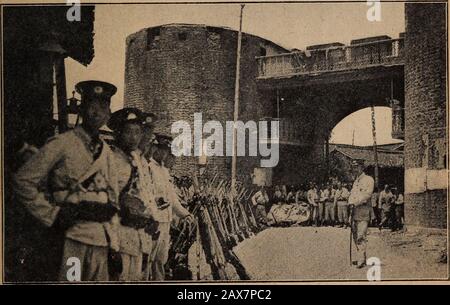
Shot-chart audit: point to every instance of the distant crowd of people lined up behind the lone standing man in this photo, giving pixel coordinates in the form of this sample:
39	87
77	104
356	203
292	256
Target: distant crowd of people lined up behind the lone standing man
328	204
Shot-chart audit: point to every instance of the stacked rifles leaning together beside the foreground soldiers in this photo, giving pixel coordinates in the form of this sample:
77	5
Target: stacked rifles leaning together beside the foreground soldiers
223	218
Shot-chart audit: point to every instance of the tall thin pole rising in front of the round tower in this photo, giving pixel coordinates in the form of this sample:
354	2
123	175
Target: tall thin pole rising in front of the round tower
236	104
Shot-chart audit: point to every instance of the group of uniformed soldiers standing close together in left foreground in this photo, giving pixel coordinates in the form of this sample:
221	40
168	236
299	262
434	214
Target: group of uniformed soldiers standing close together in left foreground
112	204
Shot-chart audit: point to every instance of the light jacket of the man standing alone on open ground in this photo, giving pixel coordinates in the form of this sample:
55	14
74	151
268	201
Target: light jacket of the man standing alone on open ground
360	197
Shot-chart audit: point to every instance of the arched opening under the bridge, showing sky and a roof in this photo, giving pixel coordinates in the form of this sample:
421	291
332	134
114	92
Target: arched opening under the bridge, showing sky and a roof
352	139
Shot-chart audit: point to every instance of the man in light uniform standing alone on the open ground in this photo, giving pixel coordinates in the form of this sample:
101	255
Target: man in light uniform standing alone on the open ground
361	210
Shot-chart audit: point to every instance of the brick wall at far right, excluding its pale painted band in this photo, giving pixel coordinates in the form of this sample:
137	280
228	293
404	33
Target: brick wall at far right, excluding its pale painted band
425	106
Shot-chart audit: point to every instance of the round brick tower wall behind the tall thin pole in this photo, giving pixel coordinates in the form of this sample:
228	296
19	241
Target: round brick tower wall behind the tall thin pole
177	70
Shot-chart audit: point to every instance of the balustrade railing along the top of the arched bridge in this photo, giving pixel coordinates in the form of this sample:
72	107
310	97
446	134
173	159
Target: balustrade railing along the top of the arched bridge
336	58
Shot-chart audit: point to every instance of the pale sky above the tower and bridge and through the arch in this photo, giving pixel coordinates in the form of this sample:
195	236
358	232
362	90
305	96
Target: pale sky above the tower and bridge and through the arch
293	25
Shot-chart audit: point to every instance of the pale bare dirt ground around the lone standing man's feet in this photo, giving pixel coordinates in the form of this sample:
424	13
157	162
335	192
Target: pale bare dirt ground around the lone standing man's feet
308	253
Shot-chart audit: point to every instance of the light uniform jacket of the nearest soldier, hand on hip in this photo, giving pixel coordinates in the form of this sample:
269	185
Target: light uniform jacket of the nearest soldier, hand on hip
61	165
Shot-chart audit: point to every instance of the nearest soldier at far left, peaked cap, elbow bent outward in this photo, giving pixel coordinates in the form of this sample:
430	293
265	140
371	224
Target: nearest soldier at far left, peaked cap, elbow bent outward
81	194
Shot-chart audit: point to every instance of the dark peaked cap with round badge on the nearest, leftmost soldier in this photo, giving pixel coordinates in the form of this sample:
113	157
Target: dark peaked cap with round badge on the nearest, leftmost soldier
94	89
